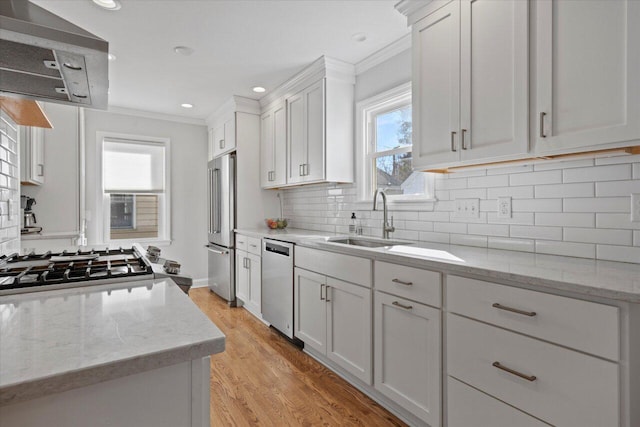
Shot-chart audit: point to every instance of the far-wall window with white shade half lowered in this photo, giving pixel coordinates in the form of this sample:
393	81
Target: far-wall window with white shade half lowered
135	194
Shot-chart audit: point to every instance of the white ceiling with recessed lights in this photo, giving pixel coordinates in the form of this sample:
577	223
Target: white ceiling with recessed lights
237	44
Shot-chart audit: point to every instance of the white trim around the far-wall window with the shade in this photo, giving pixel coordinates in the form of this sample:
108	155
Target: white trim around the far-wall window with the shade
102	200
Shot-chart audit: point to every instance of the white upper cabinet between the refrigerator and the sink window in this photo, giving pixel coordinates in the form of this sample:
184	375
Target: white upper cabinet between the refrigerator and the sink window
317	127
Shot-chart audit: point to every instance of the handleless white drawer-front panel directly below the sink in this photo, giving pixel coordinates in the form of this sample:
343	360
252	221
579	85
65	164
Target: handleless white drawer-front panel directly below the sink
345	267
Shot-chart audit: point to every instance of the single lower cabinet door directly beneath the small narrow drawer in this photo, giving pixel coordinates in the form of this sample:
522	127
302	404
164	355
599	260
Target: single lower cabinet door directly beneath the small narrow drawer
407	355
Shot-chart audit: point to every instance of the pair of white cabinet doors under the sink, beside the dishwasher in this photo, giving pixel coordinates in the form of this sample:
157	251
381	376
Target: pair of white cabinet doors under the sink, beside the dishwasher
333	317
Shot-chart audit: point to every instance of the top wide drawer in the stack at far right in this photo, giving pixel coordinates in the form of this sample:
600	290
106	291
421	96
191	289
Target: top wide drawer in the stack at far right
583	325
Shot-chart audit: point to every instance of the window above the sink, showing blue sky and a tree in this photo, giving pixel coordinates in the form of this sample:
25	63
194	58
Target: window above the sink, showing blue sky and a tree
385	148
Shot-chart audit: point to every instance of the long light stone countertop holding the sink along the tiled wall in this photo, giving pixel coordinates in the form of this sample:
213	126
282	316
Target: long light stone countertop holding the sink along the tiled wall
605	279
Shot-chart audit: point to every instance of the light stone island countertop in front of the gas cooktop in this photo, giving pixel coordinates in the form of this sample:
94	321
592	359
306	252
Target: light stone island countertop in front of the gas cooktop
53	341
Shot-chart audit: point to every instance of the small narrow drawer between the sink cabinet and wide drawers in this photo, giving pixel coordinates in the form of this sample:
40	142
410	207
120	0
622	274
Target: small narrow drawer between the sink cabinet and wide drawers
412	283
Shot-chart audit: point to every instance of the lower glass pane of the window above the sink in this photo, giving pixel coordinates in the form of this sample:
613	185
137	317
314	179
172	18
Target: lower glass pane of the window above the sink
395	175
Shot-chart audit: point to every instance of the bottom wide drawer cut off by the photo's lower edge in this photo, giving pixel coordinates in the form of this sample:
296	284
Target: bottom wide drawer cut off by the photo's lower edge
470	407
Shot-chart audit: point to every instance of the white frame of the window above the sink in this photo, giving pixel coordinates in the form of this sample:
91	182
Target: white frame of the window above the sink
366	111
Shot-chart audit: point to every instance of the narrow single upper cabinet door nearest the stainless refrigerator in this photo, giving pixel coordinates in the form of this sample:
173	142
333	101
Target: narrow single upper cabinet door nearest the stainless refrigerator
273	147
